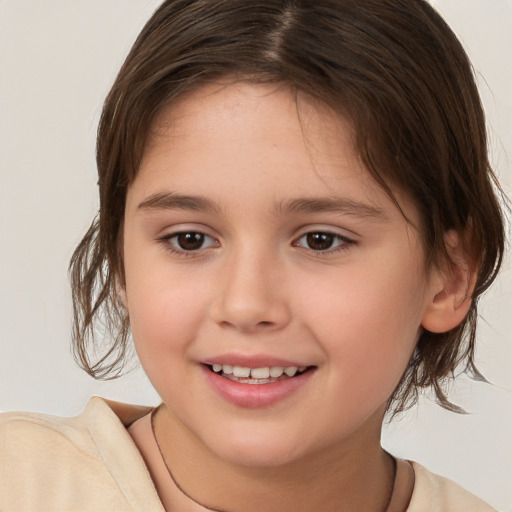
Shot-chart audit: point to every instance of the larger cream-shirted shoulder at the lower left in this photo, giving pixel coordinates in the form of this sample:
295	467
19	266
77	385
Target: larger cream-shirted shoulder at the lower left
87	462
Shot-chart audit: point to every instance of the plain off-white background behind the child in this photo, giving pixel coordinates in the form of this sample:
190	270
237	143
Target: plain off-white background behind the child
57	61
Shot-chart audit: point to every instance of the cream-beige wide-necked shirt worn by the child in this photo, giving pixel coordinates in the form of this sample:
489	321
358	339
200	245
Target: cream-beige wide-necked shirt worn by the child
89	463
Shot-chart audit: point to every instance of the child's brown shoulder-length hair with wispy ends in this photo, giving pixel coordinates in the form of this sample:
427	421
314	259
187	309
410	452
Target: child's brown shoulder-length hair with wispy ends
393	68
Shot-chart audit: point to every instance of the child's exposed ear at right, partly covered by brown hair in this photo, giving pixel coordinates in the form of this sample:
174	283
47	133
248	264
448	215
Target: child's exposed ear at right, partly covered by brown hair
450	288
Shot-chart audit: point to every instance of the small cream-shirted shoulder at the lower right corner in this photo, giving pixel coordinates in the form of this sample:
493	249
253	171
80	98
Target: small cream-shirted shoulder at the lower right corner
434	493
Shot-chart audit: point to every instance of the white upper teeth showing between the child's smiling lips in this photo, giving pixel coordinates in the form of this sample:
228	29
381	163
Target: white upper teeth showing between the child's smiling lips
263	375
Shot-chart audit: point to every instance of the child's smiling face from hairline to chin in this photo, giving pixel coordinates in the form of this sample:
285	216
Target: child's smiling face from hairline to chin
275	292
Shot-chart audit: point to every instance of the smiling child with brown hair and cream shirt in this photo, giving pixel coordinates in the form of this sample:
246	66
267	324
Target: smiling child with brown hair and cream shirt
297	219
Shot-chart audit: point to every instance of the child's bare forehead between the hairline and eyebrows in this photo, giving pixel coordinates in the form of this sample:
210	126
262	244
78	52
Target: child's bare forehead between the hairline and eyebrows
260	138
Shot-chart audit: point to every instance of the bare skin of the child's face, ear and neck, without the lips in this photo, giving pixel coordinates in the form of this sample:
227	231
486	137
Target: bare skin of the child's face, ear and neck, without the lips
257	287
